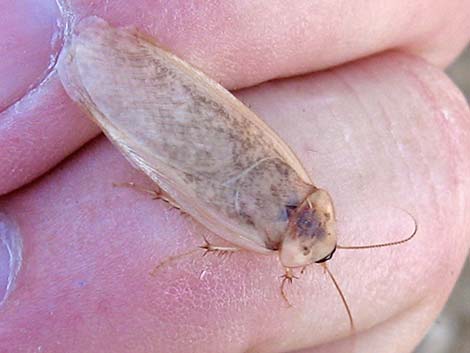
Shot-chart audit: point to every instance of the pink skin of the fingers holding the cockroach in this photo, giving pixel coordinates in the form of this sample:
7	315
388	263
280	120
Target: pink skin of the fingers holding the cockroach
378	133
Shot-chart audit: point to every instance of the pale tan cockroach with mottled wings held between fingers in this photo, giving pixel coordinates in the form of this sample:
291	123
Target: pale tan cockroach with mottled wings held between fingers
209	154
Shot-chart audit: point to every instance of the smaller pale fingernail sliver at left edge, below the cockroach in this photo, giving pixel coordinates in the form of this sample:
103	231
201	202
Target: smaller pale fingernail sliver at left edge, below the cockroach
10	256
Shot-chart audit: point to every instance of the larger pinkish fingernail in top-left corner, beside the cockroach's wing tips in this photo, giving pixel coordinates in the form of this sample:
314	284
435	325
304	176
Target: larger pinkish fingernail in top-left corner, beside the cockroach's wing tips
30	33
